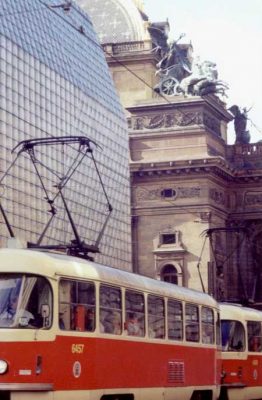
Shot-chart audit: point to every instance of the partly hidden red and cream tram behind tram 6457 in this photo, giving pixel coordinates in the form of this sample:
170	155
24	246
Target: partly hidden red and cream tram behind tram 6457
241	353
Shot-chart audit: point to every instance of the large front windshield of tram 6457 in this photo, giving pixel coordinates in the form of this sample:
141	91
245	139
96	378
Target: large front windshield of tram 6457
25	301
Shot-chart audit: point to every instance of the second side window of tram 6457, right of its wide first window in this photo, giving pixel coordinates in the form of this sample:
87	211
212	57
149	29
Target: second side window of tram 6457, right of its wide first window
110	310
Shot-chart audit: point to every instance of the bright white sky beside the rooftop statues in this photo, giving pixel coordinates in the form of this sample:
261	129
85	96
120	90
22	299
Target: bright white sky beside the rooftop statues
228	32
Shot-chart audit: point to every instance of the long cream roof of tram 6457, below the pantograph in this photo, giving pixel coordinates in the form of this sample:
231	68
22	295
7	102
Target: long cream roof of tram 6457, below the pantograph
54	265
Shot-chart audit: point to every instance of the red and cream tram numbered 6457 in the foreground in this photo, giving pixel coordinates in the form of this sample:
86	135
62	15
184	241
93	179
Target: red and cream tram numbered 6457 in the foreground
72	329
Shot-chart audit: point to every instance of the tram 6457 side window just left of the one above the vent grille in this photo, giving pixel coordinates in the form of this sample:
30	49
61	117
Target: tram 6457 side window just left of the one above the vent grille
156	317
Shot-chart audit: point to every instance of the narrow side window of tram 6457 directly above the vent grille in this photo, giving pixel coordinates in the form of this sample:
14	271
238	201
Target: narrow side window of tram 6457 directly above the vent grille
175	320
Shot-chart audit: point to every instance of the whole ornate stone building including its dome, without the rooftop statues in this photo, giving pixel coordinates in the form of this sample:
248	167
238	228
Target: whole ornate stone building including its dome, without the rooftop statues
195	200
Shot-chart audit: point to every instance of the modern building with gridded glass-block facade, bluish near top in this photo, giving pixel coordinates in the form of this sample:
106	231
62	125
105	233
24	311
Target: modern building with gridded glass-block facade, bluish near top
55	82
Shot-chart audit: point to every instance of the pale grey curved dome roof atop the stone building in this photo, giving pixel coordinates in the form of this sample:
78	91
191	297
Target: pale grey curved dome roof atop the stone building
116	21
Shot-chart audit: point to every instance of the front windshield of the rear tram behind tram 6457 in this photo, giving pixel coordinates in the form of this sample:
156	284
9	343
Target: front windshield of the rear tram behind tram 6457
233	335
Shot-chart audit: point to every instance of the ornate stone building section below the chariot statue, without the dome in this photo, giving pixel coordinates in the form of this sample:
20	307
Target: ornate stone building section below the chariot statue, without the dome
195	203
